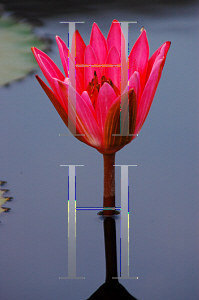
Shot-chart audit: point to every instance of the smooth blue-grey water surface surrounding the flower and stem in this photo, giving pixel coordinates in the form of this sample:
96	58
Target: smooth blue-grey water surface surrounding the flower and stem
164	210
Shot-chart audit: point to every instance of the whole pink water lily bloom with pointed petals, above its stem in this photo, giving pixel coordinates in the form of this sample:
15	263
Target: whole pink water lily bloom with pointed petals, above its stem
102	84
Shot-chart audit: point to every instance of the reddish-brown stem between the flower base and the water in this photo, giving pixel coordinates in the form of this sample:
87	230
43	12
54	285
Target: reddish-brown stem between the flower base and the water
109	183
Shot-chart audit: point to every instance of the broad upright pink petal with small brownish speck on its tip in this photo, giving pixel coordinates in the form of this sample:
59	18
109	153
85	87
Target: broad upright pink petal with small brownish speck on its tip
138	58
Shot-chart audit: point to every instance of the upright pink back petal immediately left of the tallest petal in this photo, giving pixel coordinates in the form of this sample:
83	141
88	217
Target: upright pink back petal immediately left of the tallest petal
98	43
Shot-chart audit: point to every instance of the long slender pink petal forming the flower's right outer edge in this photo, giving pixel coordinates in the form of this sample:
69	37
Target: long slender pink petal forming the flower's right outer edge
148	94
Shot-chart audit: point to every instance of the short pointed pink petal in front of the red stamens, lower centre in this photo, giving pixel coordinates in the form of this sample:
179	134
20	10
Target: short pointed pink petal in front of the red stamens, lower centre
105	99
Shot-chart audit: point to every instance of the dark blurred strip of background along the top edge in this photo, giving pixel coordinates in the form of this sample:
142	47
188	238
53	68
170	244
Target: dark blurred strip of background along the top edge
49	7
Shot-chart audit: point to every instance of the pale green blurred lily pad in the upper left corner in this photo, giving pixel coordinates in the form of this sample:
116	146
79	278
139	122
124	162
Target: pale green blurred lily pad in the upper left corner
16	59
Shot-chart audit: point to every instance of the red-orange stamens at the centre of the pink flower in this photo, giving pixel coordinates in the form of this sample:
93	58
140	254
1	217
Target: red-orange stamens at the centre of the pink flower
94	87
